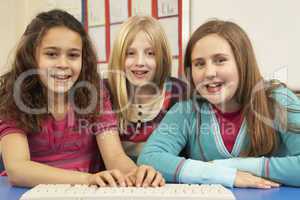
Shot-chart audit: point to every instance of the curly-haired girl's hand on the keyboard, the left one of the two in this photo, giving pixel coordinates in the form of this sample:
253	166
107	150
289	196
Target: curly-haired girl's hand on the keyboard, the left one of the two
112	178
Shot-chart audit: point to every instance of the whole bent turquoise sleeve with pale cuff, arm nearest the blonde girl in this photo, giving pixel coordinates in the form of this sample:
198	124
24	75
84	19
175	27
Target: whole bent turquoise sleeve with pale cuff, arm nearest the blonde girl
168	140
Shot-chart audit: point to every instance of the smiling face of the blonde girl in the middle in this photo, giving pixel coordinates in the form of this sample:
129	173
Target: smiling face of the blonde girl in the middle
140	63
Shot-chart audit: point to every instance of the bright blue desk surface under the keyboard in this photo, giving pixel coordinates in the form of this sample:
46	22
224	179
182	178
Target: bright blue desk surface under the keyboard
283	193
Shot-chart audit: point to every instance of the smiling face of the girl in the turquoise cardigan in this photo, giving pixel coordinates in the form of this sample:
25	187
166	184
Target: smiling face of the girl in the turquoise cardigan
215	72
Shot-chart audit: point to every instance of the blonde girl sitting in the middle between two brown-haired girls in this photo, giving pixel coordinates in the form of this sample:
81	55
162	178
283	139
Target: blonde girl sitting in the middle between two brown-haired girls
140	81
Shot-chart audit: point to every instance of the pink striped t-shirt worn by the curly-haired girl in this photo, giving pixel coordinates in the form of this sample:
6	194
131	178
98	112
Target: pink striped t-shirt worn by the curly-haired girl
69	143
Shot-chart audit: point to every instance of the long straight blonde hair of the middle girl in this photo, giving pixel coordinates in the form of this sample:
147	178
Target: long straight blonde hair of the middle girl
117	81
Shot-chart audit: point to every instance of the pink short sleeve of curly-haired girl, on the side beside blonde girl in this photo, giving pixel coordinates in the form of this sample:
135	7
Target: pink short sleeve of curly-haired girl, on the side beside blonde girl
107	120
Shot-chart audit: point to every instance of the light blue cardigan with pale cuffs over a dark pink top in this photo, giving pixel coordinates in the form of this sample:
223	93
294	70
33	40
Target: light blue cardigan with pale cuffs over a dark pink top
181	129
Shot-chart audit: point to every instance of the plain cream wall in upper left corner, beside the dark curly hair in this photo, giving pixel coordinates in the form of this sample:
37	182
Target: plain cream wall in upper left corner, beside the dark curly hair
14	17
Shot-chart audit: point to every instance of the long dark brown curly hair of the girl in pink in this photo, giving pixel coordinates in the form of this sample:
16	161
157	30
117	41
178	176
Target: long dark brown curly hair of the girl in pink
32	92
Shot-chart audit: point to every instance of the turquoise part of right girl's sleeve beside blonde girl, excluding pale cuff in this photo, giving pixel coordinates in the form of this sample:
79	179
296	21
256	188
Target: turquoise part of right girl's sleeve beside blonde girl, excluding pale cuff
166	142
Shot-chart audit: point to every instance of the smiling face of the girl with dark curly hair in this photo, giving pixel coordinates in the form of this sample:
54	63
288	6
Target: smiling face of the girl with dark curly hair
59	59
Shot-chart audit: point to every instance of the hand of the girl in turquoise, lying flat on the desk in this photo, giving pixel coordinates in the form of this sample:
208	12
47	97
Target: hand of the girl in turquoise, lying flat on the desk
245	179
